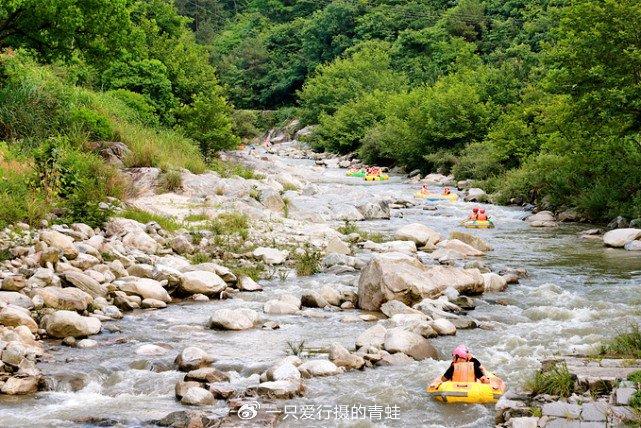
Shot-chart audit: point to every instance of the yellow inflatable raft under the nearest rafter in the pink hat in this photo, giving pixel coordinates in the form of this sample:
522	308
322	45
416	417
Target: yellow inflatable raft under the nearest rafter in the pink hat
468	392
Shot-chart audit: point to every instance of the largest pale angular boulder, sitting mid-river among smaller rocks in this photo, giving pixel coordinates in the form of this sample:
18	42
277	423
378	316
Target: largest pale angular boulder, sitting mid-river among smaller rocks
395	276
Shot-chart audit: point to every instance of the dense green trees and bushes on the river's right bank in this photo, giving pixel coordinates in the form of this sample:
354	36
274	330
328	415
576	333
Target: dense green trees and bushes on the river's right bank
538	100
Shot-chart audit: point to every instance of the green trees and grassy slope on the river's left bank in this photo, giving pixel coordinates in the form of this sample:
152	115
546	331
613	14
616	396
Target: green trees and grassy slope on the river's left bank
76	76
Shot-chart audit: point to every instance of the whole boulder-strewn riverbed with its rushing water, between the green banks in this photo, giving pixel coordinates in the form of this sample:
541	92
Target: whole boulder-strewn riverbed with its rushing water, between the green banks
129	325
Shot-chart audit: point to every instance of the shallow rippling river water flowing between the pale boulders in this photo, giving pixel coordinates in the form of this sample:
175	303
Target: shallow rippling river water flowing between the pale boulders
577	294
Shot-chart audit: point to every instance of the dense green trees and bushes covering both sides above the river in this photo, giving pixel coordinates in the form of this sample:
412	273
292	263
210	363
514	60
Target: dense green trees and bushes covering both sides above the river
537	100
